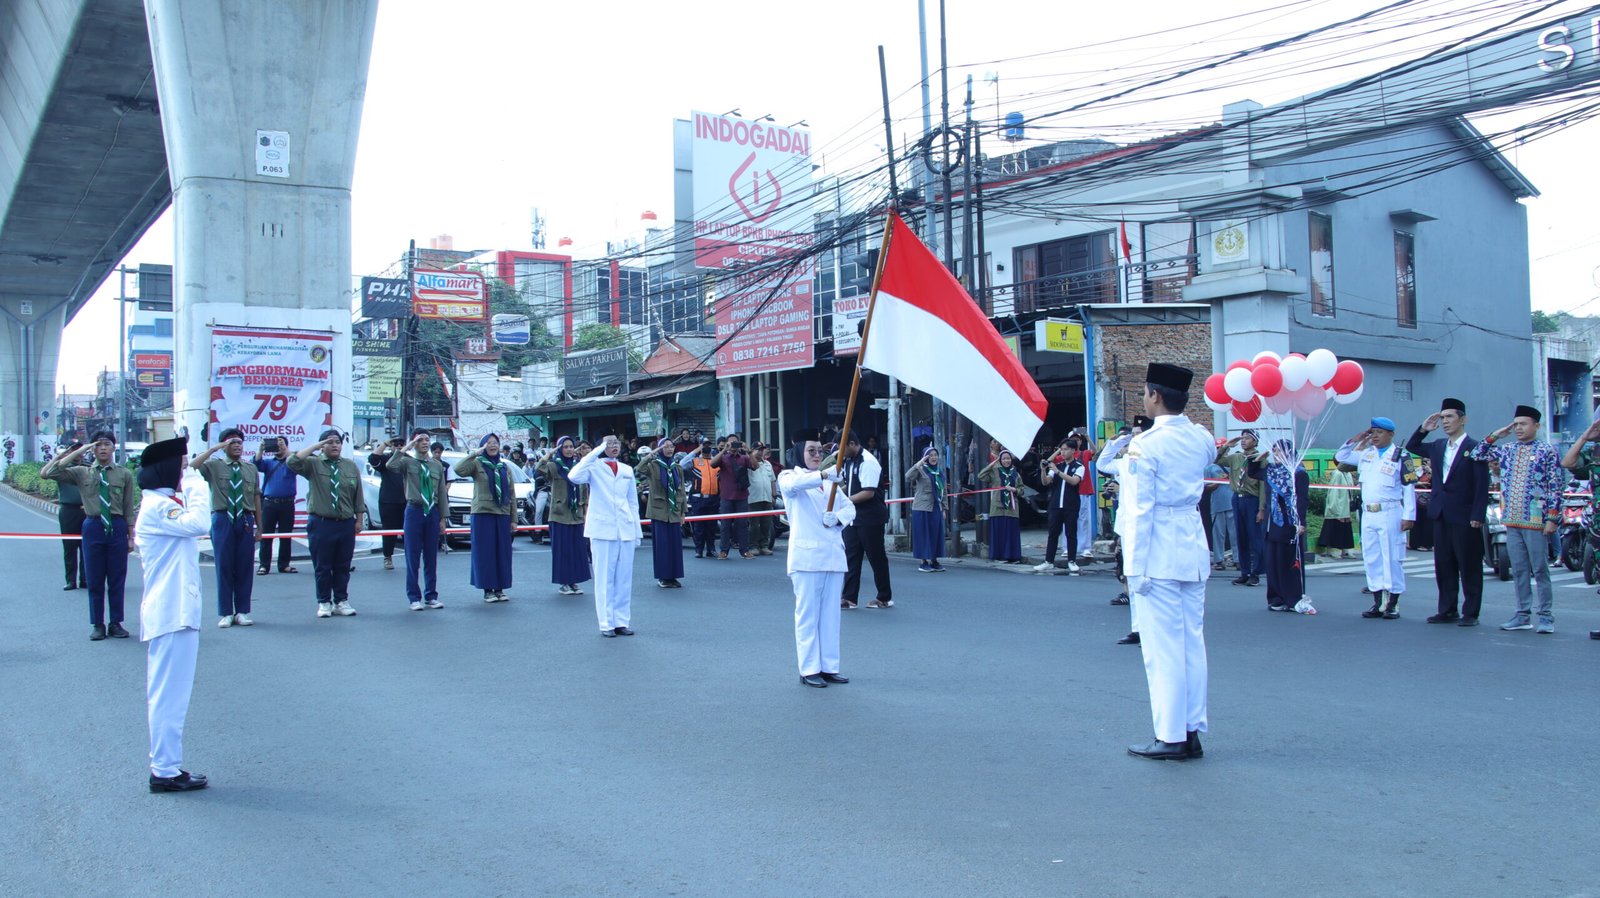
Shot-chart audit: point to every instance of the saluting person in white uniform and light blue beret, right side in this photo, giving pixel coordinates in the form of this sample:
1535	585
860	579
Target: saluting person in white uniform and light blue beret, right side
1388	511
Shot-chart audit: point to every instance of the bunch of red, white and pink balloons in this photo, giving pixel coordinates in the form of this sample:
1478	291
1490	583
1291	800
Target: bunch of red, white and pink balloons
1292	385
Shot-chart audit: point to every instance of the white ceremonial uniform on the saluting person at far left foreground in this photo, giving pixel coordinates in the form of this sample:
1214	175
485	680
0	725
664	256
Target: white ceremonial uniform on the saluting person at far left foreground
169	539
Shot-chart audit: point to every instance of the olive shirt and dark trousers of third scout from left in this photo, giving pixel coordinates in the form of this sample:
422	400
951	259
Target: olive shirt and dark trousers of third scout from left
335	505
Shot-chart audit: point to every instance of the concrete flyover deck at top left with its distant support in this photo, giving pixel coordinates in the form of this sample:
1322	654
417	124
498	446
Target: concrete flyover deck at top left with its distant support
82	177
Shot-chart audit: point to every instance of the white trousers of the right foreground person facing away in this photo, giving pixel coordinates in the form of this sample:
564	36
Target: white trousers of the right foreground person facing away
1172	636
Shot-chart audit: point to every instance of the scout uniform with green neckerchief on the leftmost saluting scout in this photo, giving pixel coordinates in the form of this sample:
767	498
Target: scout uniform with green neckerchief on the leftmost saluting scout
110	503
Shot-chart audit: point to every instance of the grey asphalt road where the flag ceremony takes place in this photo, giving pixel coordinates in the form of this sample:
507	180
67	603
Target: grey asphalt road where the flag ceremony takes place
980	750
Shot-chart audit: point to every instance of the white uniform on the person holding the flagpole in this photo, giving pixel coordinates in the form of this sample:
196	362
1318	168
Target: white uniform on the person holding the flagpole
817	566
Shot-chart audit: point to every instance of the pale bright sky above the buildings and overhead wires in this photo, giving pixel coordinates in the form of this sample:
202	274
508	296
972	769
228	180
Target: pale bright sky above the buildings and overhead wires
572	108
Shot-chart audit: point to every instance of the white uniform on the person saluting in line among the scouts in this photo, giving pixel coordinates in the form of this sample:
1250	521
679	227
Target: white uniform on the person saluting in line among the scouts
614	531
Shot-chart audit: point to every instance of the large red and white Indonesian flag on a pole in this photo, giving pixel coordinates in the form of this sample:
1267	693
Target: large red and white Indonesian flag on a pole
927	332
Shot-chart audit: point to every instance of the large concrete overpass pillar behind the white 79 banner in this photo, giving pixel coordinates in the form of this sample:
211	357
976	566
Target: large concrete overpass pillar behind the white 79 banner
252	249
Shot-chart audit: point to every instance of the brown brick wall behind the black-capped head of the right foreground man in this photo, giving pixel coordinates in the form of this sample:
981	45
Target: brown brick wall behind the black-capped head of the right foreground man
1126	351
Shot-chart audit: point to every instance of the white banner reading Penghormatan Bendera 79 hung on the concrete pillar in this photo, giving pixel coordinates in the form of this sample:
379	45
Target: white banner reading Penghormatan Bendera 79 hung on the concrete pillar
271	383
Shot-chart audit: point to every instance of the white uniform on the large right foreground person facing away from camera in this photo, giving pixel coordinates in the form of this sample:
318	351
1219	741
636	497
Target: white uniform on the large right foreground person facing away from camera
1167	563
